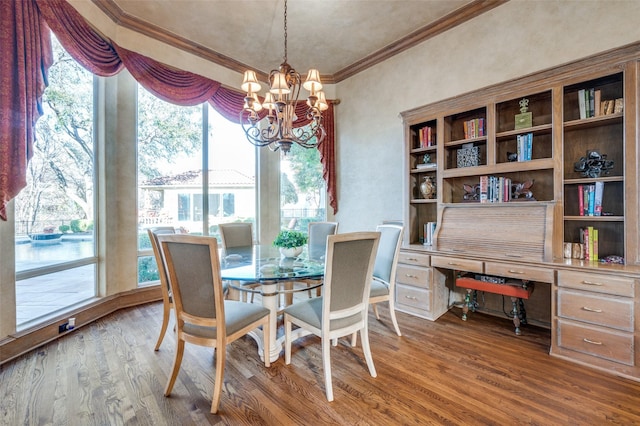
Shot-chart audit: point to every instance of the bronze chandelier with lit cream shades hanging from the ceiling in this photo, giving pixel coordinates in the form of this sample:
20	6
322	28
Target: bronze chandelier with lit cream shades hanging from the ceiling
277	129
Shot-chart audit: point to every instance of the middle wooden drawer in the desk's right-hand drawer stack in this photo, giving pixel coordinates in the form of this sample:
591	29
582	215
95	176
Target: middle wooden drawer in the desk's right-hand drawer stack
612	312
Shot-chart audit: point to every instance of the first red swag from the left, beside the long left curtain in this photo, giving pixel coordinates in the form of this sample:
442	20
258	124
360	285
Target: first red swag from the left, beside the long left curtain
82	42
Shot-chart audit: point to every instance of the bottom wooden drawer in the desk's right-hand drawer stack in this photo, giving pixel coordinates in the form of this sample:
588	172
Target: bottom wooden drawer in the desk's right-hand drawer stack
591	340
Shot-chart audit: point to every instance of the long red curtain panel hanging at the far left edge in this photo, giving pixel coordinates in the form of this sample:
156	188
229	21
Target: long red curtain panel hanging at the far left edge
25	49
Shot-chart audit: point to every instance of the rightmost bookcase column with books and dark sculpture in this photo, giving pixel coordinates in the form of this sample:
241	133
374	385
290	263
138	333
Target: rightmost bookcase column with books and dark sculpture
594	168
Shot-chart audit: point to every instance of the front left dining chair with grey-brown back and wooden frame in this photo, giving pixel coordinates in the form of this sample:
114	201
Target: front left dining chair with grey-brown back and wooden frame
203	316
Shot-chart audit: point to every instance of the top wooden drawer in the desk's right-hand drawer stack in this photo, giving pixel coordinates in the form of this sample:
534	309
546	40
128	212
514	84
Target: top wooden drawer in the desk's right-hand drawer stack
600	283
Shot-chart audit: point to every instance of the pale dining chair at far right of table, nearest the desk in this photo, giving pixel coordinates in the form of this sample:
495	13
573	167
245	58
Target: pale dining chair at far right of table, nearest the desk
384	270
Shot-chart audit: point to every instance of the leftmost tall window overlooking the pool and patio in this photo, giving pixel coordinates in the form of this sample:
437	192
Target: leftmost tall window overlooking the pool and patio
55	247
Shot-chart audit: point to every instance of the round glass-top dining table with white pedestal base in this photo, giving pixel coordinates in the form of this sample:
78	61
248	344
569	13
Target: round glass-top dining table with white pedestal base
275	275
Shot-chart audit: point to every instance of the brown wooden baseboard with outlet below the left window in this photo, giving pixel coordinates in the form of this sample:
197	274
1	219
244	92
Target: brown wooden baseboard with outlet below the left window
24	341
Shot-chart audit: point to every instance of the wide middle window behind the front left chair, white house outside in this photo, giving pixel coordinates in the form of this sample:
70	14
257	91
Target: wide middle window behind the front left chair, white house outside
176	145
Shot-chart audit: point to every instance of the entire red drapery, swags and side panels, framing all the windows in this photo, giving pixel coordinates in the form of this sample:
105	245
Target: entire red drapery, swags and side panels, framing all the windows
30	56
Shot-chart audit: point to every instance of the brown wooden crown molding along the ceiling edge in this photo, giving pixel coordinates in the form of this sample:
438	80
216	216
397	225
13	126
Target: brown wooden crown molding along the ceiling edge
457	17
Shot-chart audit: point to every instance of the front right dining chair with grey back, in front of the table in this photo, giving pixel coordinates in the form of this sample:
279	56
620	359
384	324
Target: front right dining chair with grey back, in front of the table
342	308
